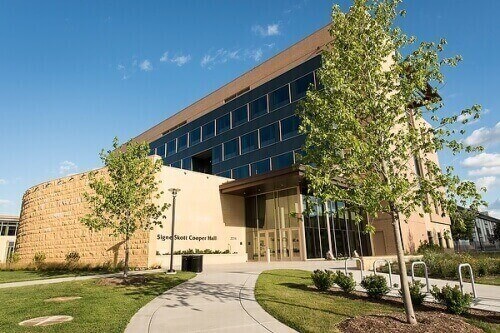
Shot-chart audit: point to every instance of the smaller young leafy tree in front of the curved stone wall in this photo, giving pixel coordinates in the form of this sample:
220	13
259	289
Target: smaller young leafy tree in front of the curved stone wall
121	199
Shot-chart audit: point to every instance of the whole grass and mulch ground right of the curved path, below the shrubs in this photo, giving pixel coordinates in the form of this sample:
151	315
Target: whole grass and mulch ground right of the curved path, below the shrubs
289	296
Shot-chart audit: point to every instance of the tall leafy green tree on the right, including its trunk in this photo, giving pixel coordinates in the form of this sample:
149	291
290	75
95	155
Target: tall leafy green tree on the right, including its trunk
365	126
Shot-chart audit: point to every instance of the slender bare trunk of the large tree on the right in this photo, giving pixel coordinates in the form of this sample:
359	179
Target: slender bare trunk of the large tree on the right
410	313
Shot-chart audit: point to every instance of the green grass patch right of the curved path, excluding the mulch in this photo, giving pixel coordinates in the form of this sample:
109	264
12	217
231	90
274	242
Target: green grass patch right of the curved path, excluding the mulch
286	296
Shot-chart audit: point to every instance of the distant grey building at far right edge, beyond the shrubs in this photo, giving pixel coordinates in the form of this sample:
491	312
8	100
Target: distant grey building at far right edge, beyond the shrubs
482	237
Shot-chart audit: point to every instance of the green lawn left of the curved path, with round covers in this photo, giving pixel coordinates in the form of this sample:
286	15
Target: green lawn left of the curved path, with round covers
102	308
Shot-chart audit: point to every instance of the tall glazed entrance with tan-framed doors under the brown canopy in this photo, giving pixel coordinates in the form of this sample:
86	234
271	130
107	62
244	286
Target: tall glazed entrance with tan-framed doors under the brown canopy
272	224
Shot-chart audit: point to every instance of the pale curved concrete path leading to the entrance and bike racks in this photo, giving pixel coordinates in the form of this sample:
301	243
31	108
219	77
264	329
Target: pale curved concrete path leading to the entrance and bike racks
221	299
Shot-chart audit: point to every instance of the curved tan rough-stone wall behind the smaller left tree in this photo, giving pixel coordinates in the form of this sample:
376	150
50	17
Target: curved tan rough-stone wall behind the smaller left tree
50	223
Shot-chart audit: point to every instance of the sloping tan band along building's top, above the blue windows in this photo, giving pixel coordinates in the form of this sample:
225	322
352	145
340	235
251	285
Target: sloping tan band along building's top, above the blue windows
293	56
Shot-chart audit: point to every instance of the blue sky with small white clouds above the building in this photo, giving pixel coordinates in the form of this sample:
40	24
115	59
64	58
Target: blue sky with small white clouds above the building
75	74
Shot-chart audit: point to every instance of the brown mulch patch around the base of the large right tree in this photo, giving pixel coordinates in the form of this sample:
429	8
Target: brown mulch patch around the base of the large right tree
436	322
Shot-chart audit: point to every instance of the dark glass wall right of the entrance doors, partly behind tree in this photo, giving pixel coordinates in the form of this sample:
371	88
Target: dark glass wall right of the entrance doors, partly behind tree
329	227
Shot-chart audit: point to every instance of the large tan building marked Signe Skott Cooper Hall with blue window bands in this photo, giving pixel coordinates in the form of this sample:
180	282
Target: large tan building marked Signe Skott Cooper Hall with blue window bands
240	144
